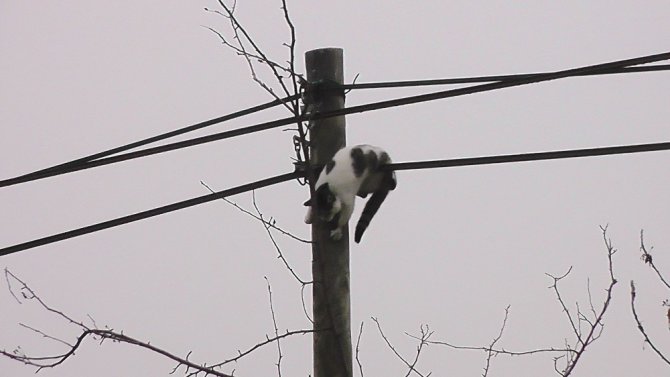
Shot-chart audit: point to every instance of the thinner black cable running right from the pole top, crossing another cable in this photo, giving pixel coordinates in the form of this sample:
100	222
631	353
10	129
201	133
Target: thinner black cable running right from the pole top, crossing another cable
477	79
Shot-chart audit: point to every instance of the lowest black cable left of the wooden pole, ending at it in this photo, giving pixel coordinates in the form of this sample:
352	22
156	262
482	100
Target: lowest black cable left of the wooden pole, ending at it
147	214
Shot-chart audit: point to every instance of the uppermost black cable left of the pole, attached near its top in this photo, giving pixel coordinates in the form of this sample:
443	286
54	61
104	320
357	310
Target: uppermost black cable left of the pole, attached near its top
70	165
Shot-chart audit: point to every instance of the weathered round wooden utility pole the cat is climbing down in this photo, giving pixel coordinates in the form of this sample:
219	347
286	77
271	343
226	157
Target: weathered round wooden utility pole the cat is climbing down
330	259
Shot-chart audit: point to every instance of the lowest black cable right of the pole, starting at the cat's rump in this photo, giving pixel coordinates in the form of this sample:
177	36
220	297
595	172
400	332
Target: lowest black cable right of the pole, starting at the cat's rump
535	156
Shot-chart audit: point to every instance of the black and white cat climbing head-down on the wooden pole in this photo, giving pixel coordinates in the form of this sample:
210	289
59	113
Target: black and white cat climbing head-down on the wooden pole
352	171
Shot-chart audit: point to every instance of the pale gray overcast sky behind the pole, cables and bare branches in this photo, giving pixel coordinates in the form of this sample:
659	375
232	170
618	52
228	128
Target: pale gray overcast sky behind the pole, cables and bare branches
450	248
